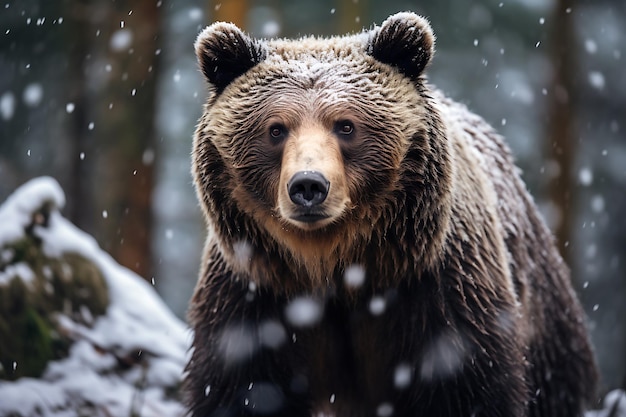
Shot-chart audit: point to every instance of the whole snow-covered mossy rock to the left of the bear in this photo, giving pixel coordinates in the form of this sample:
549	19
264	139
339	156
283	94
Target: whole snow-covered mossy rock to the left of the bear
100	341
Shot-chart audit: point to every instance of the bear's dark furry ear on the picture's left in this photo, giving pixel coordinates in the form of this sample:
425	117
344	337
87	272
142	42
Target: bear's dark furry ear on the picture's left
225	52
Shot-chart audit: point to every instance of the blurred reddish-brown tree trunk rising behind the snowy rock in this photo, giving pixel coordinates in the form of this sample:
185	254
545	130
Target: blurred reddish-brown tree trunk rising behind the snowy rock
126	134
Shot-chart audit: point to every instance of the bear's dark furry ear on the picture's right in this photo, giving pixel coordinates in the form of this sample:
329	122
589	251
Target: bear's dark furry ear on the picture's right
404	41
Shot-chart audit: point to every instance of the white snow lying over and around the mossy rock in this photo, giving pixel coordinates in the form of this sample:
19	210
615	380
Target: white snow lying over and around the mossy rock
137	331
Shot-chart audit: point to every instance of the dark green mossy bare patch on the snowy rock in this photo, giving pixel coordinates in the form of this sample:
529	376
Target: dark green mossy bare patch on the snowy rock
30	305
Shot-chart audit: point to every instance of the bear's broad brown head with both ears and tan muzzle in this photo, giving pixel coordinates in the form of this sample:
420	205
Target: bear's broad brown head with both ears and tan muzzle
307	148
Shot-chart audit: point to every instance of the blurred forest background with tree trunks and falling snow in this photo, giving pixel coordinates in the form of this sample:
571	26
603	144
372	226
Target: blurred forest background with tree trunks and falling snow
104	96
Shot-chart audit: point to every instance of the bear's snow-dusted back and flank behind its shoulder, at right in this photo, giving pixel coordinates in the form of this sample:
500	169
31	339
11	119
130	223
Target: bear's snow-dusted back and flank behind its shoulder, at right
553	324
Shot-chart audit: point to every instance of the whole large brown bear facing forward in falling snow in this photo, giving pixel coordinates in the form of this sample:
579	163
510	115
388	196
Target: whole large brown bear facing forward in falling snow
372	250
